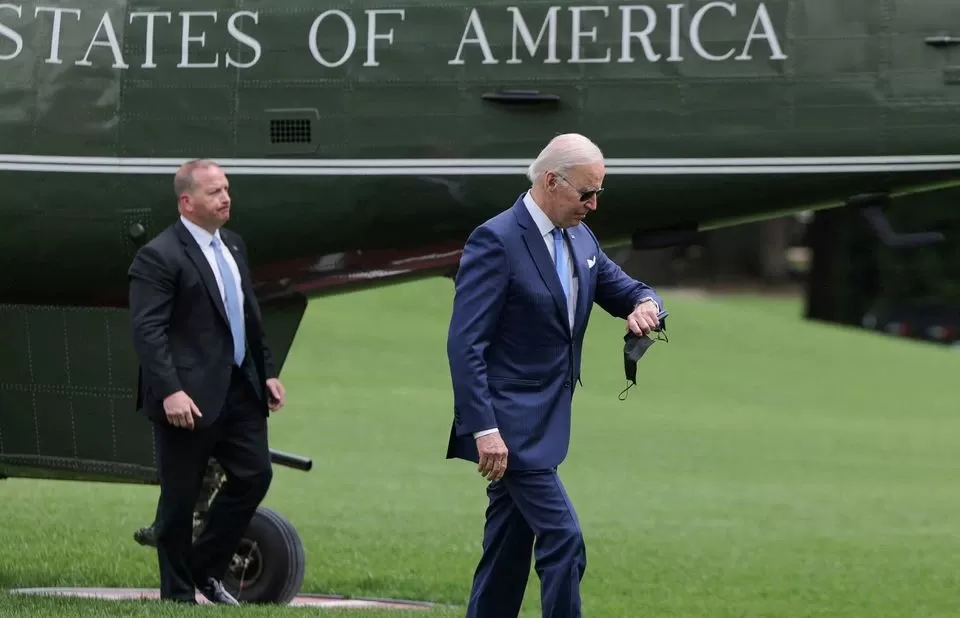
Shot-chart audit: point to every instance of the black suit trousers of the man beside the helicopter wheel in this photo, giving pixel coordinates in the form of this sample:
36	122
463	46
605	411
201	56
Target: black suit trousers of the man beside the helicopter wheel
238	440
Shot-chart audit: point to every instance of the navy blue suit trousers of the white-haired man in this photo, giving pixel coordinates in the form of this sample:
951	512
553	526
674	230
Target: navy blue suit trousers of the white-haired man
529	514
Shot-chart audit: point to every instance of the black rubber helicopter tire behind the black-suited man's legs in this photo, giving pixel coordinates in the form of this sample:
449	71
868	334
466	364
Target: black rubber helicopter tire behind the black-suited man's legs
273	555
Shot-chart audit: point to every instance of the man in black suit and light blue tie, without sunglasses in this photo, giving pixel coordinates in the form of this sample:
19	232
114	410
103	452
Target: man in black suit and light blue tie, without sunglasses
207	381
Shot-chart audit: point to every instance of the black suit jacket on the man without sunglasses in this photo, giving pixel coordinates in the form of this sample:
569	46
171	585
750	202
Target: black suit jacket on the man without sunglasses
180	329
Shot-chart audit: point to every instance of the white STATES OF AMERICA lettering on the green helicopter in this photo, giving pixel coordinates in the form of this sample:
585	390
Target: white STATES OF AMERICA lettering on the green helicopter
331	39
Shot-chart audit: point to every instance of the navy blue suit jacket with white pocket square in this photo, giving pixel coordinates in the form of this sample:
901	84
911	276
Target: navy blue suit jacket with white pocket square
514	360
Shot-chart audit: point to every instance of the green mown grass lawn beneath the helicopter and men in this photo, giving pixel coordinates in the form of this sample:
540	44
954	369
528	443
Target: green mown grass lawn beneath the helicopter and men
763	467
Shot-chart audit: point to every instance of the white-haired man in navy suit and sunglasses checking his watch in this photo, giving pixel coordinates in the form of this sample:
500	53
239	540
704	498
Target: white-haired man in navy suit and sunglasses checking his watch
525	288
